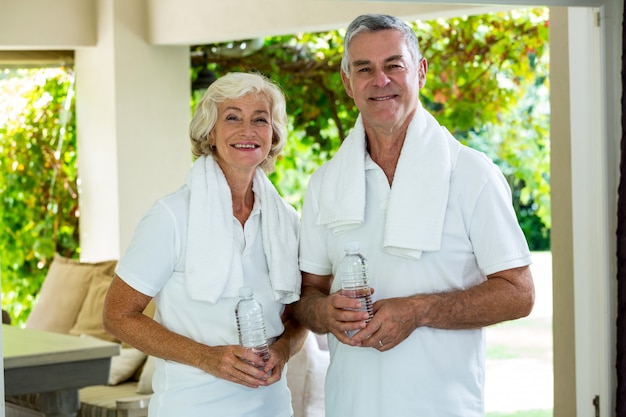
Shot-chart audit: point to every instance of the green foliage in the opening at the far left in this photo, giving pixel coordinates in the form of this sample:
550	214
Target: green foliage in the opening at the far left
38	181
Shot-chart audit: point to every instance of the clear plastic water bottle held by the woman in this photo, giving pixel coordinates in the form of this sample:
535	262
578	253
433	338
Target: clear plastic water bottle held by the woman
250	324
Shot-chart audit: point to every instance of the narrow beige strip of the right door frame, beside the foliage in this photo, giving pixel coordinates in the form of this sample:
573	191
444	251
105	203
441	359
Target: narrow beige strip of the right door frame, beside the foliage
561	196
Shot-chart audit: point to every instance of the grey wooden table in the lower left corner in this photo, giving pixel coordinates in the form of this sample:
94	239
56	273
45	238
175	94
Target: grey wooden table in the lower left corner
54	365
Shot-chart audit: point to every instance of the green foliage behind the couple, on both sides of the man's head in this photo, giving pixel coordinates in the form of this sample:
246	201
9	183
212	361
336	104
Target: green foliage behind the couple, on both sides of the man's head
487	83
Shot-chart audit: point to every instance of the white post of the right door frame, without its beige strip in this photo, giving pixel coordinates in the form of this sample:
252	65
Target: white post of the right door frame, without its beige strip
593	83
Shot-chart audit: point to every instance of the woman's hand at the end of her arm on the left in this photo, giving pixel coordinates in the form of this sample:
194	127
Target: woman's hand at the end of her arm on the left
236	364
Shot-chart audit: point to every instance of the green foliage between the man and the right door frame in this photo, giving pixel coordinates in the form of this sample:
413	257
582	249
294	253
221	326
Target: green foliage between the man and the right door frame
488	84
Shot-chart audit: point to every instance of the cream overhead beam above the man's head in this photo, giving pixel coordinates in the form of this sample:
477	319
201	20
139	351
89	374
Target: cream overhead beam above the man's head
192	22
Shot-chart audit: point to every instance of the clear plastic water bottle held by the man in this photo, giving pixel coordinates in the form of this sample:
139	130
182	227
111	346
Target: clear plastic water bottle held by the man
355	279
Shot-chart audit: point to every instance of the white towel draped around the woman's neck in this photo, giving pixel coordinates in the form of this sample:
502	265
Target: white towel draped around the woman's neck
210	269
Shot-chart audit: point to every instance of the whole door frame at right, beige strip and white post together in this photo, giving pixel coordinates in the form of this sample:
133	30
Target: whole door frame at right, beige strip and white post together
585	147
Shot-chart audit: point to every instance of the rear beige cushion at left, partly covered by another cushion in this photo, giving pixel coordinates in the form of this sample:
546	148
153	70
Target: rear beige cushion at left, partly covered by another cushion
62	293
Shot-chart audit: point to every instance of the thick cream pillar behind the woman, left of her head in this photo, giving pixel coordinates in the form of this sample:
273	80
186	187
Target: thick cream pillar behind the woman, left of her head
132	117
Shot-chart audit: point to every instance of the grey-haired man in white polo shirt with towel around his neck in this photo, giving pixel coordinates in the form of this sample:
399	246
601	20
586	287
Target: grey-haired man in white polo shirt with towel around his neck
435	220
